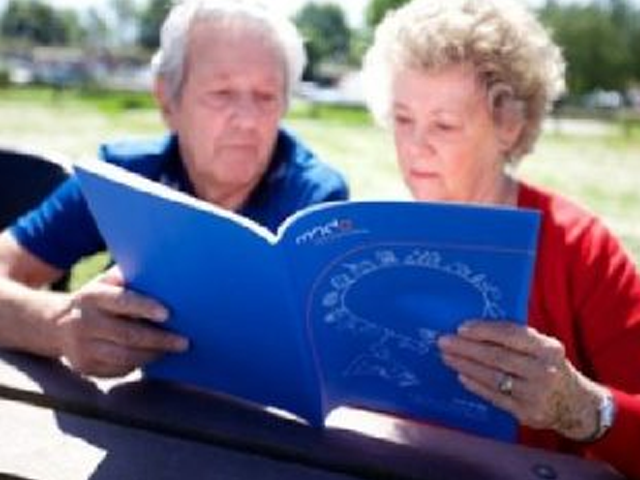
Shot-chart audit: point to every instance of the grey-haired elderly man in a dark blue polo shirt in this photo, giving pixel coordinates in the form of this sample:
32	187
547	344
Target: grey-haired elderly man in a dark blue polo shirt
224	74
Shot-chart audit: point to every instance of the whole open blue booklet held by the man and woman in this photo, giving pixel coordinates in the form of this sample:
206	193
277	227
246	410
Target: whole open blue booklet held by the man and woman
342	307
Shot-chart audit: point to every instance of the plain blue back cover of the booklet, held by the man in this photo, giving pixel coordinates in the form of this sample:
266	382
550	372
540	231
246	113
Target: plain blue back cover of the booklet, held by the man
224	284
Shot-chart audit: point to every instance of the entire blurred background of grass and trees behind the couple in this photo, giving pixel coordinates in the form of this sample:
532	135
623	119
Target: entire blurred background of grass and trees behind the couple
75	73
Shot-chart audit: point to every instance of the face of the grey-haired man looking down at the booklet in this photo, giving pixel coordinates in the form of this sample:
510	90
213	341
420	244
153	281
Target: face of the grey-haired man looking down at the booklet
228	113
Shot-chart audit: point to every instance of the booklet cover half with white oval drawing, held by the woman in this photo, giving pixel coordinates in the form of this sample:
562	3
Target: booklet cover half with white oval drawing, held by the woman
378	283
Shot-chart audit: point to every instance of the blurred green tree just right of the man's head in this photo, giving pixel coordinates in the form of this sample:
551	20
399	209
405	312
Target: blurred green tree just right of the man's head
326	34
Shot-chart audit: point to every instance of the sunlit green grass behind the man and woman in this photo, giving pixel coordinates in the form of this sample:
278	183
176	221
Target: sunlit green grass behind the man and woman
601	171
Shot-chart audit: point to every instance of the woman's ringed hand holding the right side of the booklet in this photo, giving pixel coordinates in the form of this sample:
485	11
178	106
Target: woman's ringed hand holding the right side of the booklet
526	373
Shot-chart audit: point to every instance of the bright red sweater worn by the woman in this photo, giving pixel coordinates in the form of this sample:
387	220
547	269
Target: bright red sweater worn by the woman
586	293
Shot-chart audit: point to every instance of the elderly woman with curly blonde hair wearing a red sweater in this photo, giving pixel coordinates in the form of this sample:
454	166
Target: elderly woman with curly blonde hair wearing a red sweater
465	85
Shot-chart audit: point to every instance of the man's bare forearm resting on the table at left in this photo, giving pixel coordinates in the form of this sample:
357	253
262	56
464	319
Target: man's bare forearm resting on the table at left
28	318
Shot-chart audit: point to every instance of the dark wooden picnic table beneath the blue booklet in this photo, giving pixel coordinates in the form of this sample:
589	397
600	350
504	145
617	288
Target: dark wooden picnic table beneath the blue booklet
56	425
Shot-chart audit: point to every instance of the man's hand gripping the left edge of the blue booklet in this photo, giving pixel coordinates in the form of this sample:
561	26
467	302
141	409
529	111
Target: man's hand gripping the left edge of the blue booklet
108	330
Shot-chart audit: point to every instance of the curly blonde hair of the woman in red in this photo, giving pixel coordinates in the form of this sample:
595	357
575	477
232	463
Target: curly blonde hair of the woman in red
509	49
